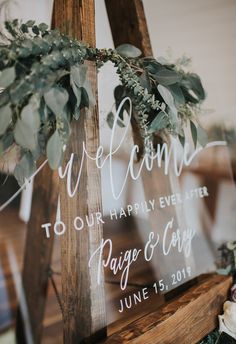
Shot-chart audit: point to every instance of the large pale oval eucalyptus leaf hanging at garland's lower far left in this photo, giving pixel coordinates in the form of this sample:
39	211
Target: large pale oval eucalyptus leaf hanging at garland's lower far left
26	128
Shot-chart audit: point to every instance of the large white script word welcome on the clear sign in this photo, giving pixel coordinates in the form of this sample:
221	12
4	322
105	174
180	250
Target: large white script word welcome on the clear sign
161	155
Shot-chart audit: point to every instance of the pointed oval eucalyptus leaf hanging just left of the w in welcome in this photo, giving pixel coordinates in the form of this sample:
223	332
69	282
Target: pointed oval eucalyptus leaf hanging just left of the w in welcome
55	150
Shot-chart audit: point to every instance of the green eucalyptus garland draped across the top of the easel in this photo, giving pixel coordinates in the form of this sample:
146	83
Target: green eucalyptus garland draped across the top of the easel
45	87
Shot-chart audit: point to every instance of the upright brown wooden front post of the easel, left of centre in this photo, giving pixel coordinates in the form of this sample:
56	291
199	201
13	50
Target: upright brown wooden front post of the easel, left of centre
84	313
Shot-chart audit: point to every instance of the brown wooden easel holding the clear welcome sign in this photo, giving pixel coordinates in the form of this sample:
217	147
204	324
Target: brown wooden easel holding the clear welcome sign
84	313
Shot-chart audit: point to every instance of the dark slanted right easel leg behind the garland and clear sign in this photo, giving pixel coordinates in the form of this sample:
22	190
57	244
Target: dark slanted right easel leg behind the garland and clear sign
128	25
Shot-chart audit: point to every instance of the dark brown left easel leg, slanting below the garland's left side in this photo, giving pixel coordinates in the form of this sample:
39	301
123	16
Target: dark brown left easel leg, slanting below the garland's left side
38	251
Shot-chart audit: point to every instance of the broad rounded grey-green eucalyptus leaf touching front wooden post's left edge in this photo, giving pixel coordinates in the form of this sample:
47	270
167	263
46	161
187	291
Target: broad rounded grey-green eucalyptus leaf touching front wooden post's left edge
56	99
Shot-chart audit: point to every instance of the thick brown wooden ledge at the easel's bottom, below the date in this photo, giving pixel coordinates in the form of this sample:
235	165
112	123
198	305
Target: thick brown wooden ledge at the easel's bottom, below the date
185	320
